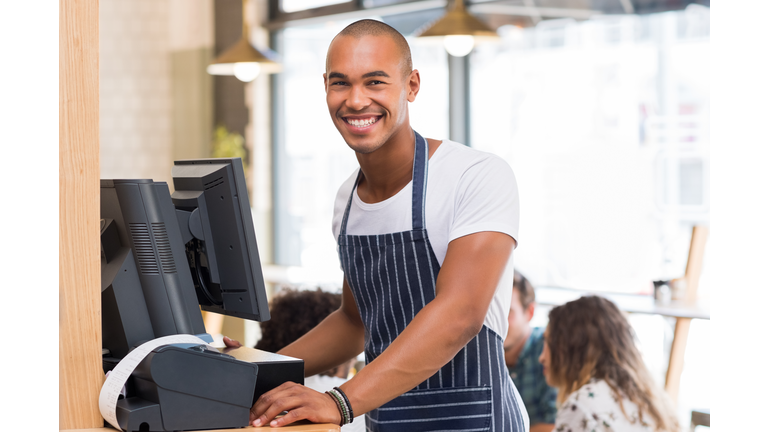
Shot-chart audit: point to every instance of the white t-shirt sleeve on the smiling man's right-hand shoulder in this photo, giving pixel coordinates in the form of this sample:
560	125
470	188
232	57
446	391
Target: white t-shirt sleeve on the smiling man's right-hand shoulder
486	200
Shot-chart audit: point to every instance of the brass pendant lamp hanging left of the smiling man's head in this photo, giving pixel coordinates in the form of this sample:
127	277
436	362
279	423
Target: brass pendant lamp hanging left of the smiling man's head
243	60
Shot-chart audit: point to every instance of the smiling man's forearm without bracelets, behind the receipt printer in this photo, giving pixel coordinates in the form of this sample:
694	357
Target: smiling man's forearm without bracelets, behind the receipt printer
334	341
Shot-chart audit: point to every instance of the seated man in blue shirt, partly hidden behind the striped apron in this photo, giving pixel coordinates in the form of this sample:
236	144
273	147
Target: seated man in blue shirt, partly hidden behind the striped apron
522	348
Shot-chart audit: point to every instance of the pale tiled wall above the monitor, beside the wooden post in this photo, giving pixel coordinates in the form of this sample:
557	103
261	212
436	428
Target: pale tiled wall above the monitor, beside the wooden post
135	89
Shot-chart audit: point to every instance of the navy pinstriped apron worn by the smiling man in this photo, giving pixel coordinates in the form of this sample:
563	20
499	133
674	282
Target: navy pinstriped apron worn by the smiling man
392	276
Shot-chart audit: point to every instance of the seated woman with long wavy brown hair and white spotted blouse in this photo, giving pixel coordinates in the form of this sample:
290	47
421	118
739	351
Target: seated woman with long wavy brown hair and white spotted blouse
590	356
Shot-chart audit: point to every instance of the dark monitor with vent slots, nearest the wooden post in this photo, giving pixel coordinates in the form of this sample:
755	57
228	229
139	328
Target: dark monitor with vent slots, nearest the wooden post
143	267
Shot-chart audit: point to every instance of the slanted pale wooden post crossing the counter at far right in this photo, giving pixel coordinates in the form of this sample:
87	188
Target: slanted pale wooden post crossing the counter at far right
683	325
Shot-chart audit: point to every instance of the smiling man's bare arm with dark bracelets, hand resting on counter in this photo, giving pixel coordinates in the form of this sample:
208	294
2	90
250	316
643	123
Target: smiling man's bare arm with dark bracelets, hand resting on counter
466	284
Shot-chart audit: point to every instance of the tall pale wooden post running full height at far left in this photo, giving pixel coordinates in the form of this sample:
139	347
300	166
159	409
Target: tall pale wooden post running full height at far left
80	371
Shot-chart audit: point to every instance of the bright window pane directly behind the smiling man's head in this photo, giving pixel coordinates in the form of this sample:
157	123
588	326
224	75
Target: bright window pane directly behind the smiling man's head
315	160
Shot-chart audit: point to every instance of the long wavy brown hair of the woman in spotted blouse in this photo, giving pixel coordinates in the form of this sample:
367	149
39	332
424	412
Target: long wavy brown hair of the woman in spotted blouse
590	338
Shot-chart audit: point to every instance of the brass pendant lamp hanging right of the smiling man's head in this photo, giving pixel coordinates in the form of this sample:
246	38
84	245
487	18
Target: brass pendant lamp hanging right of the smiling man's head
460	30
